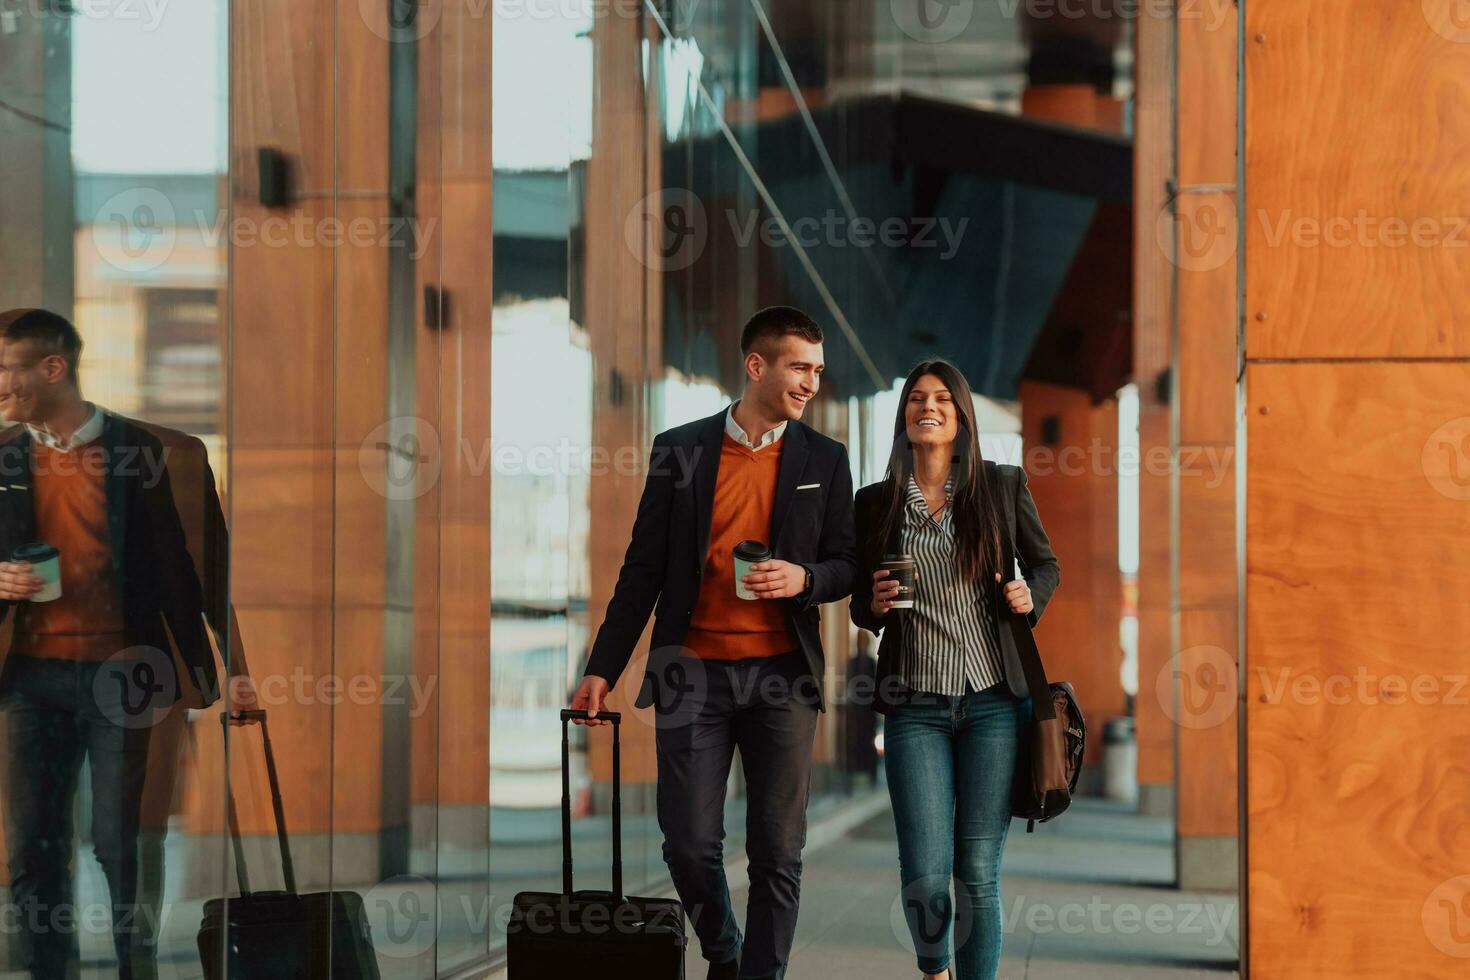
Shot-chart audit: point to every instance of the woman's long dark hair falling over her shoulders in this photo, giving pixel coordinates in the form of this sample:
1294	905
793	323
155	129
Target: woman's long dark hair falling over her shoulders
977	525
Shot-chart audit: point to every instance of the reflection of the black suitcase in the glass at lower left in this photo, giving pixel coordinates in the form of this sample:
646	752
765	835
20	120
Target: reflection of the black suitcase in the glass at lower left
283	935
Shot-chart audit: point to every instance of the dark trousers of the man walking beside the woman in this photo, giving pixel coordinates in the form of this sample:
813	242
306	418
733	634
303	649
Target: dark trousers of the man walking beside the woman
767	707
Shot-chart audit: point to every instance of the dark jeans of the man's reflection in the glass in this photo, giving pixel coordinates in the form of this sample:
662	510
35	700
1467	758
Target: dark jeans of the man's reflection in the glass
55	716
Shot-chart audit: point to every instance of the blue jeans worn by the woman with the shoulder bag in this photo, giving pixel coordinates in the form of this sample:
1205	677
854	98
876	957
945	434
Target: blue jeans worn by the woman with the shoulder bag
950	763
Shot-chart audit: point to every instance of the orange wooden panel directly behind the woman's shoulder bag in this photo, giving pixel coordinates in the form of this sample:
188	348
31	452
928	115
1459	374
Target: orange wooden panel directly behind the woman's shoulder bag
1074	483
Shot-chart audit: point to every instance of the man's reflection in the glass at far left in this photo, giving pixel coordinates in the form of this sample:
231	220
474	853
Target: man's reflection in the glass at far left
90	671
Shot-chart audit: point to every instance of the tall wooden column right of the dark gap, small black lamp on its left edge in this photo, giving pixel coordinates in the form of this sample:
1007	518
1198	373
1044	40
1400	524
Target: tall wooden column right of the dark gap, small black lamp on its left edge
452	741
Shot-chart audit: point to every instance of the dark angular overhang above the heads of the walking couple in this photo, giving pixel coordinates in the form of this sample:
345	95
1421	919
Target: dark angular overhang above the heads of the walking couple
1015	259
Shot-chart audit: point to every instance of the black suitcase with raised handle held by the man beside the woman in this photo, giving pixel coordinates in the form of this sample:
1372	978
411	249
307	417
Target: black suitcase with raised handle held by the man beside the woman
561	935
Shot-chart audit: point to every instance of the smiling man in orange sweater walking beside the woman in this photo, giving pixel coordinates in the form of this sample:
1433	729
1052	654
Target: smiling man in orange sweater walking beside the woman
725	671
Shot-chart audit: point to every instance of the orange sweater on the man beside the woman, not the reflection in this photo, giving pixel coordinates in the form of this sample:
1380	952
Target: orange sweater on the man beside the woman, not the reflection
725	627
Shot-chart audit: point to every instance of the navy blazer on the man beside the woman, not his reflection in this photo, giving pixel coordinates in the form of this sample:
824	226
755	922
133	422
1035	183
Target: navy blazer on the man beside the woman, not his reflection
811	525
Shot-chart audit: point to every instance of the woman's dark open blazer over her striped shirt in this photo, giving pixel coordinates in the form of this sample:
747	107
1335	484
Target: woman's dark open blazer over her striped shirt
1024	533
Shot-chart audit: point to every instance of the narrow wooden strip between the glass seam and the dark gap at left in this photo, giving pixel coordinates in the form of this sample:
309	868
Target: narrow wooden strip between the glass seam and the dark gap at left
361	493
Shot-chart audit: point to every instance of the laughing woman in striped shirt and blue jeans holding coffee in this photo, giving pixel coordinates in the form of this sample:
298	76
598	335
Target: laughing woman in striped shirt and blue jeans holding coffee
949	680
